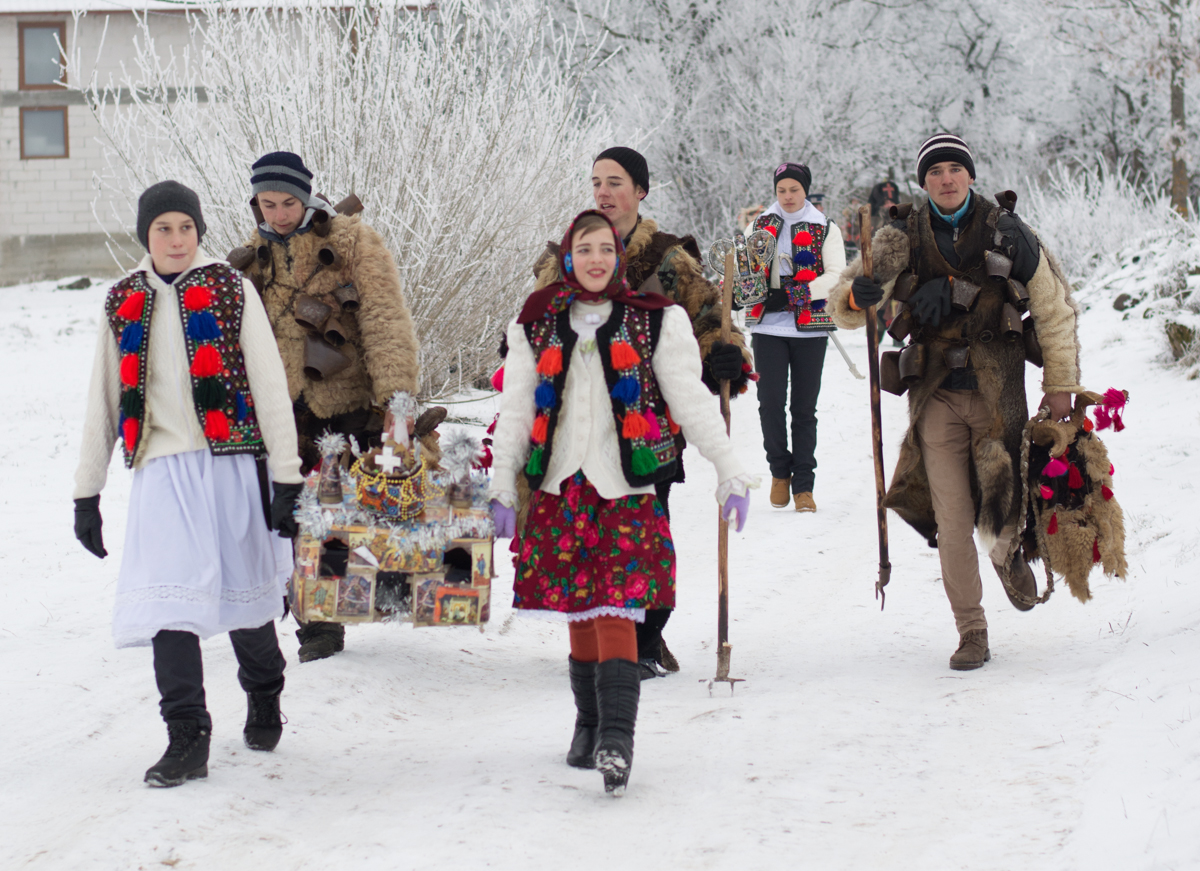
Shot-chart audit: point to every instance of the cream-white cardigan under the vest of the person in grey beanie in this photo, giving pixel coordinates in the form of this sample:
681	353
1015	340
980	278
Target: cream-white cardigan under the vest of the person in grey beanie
172	425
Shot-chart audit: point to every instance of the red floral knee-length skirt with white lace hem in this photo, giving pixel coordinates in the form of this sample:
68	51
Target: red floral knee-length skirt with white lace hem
581	556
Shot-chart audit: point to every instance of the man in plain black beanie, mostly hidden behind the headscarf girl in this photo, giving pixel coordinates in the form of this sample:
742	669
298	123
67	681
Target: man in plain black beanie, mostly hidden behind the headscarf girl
670	266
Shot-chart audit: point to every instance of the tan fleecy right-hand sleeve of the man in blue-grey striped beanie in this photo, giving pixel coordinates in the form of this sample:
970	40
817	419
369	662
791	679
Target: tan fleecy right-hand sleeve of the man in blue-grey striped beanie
389	341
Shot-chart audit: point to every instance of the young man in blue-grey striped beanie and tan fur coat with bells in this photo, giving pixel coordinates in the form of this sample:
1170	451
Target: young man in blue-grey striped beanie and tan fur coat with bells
343	370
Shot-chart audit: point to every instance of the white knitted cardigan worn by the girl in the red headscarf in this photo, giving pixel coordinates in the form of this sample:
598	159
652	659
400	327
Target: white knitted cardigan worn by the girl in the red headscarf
586	435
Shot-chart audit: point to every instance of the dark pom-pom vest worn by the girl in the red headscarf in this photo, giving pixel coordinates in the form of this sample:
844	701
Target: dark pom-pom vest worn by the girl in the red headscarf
626	344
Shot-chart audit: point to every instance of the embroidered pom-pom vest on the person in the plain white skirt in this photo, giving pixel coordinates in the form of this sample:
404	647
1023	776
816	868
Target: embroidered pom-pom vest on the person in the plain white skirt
211	308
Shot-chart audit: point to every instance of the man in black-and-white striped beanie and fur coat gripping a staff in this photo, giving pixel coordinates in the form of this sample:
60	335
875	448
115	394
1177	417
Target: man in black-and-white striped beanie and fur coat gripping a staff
964	269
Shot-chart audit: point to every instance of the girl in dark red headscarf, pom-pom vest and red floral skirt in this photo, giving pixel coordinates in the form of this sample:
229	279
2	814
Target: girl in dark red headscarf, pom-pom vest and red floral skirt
599	381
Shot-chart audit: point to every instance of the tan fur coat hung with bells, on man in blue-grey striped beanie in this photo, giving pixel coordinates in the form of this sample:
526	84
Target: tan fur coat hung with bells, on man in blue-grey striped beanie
381	340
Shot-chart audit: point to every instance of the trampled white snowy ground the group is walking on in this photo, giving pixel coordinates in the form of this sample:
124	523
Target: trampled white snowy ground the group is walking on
850	746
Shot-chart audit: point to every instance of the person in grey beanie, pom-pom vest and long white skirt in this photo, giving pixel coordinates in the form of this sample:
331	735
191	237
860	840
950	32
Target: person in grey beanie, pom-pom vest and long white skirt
188	376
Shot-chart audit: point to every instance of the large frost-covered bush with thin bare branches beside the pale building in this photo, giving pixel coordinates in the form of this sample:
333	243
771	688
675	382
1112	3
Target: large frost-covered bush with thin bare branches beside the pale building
459	124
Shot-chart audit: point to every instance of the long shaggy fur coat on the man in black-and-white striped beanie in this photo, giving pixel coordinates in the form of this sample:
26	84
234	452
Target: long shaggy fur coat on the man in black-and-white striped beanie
998	484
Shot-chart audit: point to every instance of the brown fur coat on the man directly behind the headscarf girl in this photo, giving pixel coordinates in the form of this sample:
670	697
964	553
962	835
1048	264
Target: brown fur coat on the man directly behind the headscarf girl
669	266
